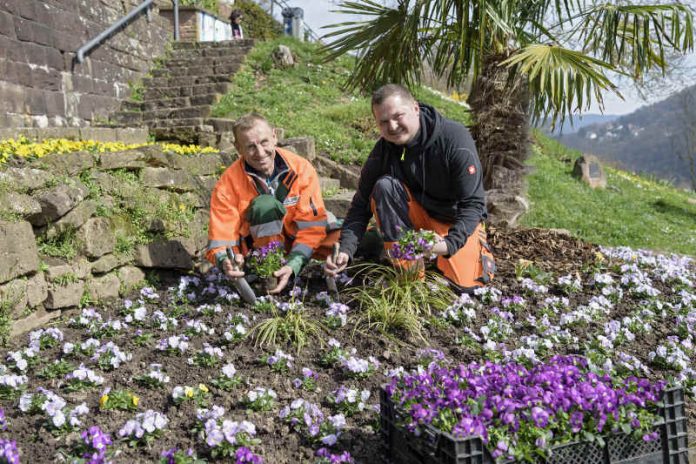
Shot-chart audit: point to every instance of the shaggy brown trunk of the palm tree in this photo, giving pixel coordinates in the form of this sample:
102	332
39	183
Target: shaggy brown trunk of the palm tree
501	127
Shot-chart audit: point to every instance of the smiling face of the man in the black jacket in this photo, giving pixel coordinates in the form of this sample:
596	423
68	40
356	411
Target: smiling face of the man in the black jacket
398	119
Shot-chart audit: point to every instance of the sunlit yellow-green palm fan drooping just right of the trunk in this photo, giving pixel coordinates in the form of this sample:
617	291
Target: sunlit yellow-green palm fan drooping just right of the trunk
561	81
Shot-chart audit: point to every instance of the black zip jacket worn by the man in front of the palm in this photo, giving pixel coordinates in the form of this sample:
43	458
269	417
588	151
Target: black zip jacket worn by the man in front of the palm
441	168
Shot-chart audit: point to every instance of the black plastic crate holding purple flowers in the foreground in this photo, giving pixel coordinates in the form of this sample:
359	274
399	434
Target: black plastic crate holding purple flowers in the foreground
436	447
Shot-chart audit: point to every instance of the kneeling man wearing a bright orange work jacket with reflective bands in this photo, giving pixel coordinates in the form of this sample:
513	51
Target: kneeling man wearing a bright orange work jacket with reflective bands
268	194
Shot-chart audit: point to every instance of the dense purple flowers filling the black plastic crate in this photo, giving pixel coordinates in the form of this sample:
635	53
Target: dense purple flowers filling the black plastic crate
508	404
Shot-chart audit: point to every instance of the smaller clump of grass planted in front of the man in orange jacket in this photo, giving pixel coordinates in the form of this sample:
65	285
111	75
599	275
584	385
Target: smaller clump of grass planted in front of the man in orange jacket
289	322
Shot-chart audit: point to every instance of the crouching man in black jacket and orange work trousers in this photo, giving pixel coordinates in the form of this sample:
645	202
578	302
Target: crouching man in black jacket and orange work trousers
423	173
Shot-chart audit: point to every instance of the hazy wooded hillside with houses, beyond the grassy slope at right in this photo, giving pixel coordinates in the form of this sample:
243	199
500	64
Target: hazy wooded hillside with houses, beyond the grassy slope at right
644	141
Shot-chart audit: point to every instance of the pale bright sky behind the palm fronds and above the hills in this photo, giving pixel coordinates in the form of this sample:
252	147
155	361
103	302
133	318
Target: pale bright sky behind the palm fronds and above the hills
317	13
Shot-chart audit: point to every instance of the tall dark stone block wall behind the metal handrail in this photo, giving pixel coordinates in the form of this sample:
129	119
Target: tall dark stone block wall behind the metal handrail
41	85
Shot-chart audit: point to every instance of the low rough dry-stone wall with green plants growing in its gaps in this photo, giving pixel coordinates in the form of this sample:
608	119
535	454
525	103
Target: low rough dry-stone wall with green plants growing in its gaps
82	227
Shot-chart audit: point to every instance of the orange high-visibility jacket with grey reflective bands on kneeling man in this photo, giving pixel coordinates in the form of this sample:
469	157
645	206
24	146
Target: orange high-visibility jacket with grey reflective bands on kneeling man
305	219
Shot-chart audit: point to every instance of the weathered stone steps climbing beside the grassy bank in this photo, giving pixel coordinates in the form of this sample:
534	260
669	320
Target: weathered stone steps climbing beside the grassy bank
179	96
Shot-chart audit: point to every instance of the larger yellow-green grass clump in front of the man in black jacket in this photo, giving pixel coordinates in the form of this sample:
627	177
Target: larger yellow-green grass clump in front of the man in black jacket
392	304
